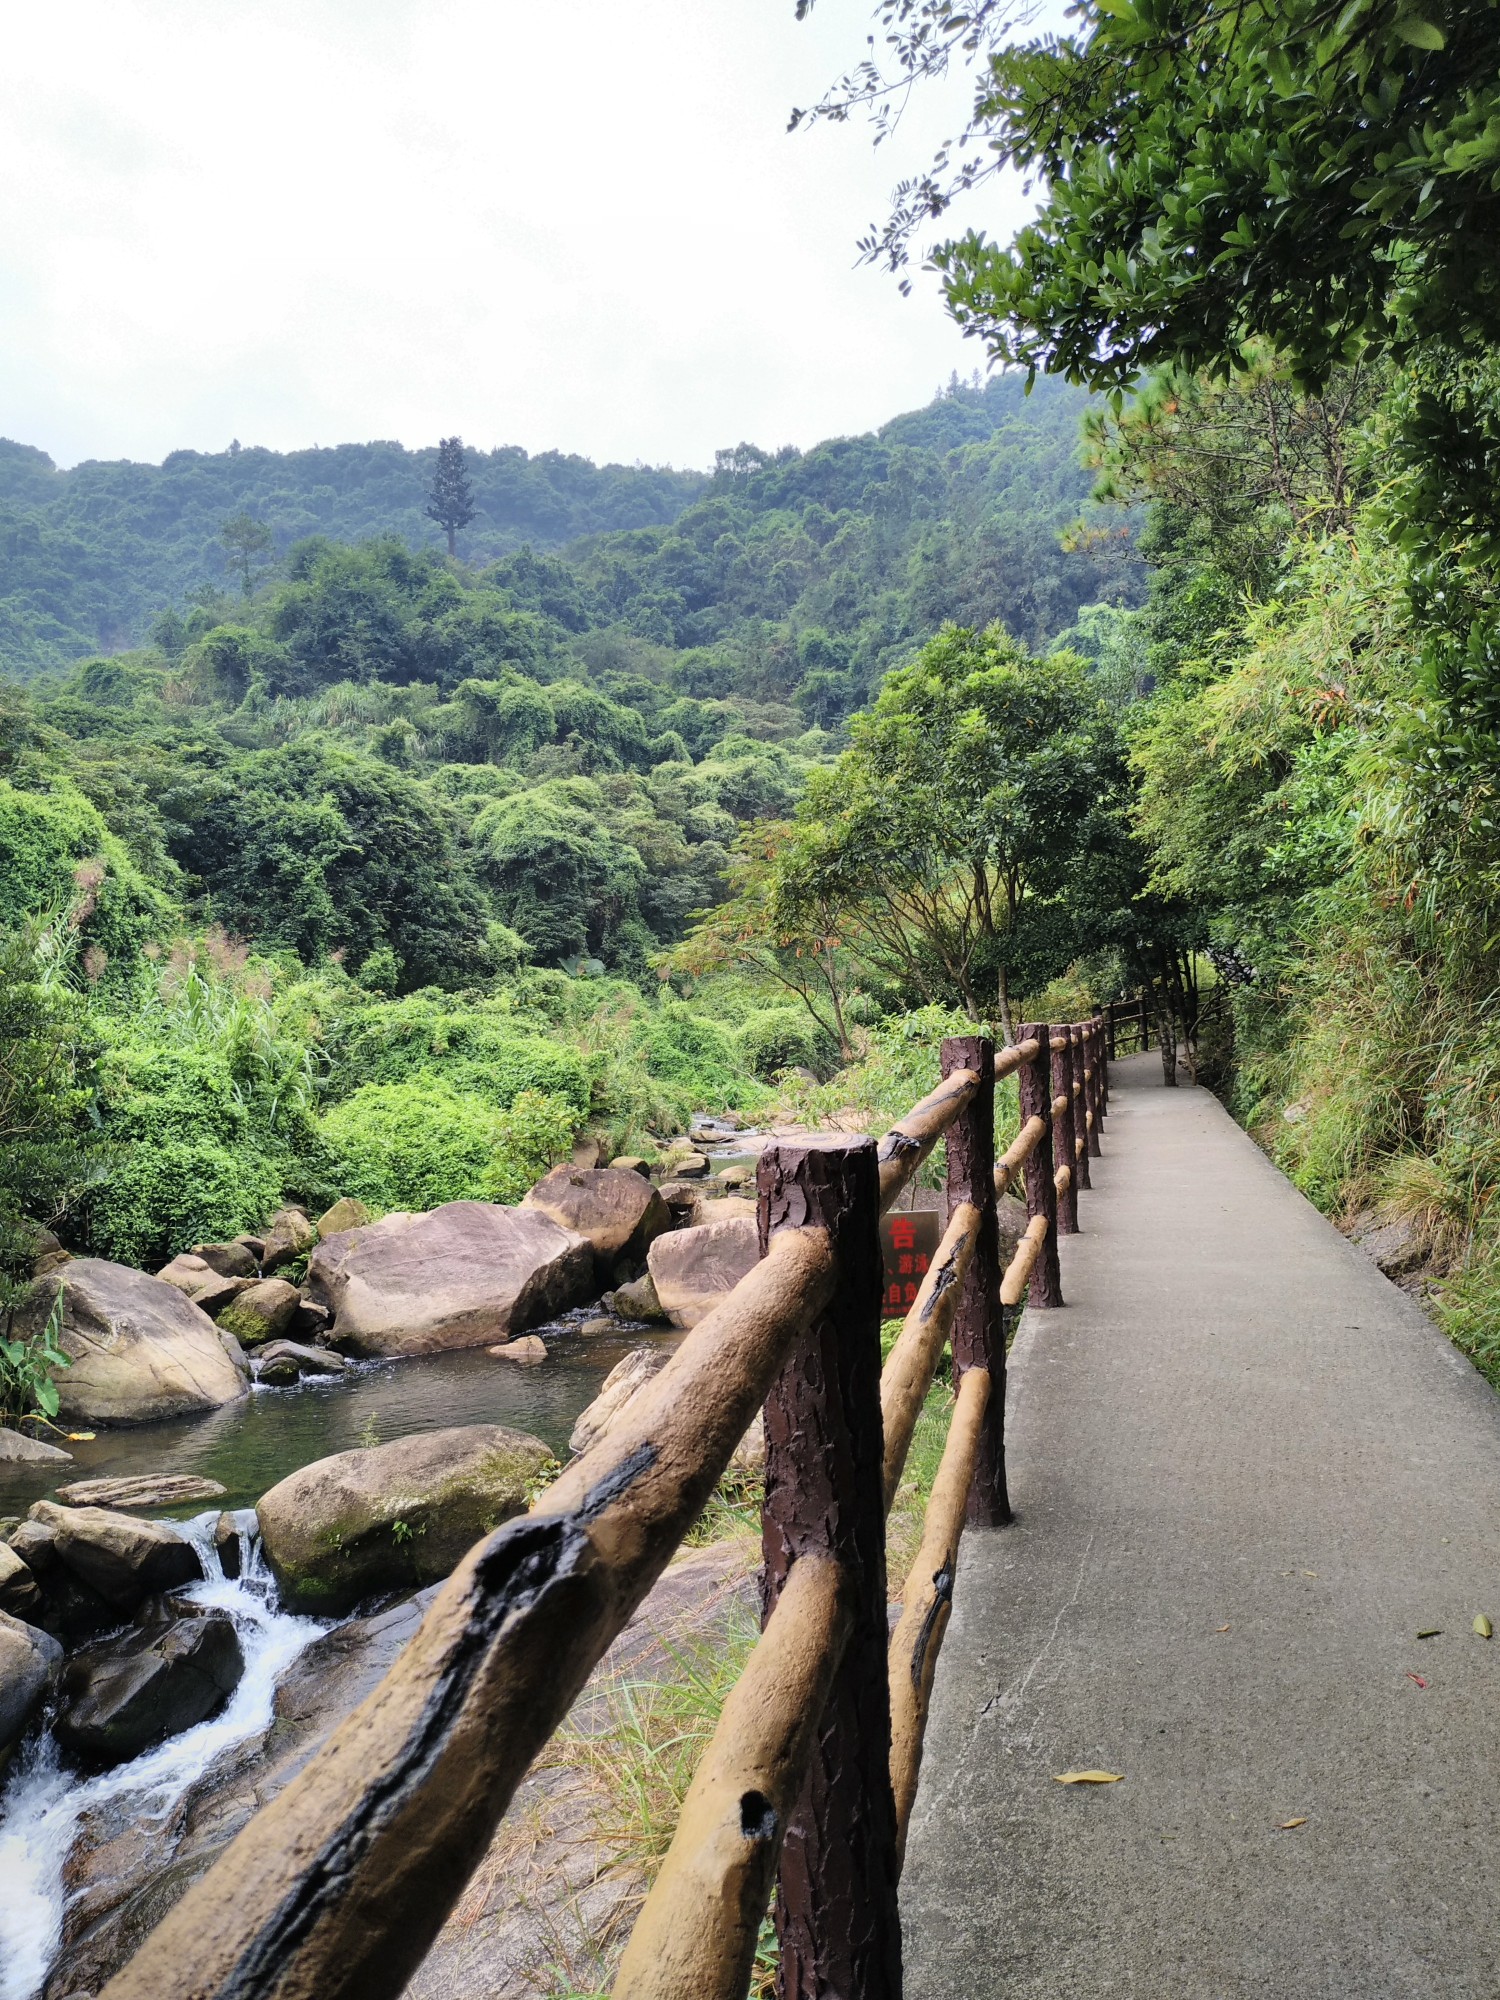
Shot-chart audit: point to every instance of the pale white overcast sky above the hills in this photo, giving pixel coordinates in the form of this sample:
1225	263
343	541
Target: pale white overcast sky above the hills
549	225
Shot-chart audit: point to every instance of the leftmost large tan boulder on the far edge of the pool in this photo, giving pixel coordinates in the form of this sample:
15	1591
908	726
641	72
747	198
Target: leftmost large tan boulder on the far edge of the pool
139	1349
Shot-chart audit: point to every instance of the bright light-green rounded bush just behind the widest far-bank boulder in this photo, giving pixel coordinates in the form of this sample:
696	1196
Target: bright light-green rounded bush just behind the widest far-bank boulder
421	1143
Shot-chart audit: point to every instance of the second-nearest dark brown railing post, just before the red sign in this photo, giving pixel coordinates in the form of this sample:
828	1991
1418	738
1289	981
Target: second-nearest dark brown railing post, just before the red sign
979	1337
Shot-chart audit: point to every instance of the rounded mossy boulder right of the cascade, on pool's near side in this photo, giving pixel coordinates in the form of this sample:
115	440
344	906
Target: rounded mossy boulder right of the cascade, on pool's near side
393	1517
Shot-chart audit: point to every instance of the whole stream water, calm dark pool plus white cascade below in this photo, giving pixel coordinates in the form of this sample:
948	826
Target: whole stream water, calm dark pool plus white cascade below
249	1447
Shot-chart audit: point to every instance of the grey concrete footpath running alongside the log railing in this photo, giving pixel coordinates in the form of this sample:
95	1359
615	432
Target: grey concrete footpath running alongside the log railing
1247	1475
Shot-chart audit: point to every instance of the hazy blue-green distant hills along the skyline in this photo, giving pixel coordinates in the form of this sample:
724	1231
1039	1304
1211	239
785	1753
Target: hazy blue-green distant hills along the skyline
91	557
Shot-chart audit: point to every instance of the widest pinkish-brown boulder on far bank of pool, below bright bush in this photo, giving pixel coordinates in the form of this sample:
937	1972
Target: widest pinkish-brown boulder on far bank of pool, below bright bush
461	1277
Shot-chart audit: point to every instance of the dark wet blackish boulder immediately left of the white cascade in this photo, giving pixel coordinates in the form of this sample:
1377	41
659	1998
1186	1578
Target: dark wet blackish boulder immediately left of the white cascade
135	1691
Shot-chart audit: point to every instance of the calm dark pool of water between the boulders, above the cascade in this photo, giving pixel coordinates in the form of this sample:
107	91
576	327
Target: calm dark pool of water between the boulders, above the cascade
251	1445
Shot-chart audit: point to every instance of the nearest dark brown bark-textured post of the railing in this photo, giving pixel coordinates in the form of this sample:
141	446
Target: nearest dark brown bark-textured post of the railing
837	1885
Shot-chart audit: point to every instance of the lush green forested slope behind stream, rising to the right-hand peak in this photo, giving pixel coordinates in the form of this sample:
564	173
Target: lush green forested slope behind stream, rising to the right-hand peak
371	877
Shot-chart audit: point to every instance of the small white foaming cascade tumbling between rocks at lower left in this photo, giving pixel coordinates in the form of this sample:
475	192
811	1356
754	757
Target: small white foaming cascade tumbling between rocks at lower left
43	1803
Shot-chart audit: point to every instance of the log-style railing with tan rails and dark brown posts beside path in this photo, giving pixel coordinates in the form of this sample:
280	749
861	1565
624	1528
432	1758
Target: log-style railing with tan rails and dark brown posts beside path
337	1889
